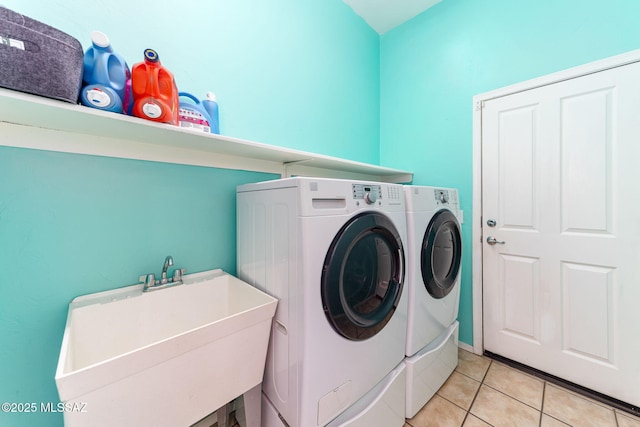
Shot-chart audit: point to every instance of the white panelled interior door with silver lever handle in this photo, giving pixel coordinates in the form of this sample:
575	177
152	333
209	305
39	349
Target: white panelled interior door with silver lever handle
560	179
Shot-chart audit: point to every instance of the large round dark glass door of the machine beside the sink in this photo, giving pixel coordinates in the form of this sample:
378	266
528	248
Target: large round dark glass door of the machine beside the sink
363	276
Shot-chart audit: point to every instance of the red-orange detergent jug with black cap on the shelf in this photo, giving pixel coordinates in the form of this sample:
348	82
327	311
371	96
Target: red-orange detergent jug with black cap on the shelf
155	94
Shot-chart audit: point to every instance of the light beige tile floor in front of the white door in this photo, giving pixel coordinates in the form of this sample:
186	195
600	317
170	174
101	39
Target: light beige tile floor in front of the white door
482	392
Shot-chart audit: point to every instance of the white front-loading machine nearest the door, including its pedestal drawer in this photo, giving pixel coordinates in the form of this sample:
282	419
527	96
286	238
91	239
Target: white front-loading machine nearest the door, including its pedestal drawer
434	260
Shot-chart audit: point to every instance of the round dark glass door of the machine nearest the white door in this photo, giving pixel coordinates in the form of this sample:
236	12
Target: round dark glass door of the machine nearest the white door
441	254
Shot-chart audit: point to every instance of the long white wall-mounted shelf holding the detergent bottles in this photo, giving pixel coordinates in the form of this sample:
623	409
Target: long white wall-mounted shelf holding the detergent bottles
34	122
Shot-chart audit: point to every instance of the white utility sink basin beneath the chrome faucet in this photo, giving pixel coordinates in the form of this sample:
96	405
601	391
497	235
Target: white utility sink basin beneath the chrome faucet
168	357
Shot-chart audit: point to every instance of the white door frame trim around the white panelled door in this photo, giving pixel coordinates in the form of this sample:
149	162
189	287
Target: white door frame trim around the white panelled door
478	103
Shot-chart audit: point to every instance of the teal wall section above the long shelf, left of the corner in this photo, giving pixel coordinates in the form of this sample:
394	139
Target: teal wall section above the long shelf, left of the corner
298	74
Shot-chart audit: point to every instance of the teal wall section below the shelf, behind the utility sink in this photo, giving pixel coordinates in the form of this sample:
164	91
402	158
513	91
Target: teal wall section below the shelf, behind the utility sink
72	225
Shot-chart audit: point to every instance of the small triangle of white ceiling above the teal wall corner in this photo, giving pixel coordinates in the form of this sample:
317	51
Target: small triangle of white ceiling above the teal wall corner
383	15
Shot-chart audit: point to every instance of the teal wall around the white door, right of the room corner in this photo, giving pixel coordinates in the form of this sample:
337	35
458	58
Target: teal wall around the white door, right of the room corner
433	65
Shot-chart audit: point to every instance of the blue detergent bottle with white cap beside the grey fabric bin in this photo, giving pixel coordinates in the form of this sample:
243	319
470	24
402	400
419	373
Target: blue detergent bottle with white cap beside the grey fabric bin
106	77
